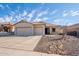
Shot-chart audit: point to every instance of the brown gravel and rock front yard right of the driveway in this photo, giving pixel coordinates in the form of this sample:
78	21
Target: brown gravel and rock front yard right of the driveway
55	44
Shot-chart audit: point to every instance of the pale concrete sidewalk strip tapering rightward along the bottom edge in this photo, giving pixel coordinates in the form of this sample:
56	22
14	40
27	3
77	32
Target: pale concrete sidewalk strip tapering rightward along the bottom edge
14	52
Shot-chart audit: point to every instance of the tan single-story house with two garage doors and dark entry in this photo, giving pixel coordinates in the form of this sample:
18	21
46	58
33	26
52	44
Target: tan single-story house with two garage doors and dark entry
25	28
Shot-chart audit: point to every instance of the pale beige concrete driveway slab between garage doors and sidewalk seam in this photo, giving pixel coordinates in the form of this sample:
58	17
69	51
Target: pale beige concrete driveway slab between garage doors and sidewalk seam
21	43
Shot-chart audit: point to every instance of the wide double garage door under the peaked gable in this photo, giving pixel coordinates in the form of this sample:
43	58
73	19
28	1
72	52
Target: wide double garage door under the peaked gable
24	31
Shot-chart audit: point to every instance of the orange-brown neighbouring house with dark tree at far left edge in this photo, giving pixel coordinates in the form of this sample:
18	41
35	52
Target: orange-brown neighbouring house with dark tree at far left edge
6	29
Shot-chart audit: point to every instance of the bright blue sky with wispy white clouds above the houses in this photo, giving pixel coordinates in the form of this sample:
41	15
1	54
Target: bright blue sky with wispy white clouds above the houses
56	13
